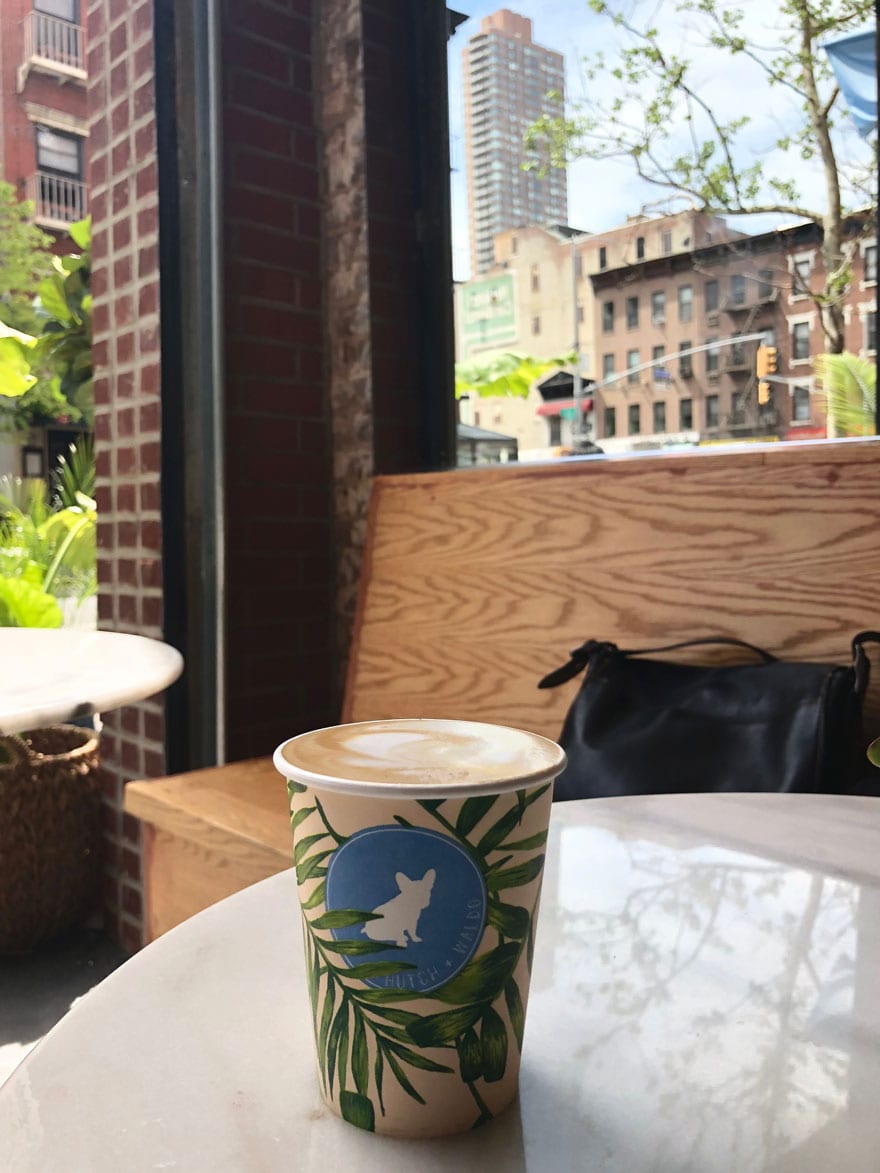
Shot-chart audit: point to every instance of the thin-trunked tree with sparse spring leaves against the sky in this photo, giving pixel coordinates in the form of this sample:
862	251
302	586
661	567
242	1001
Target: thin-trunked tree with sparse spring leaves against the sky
652	109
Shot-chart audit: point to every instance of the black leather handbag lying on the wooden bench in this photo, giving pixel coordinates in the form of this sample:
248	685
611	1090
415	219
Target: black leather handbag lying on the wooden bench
648	727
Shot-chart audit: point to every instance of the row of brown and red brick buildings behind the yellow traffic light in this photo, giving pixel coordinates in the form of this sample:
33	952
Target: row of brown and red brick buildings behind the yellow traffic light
712	297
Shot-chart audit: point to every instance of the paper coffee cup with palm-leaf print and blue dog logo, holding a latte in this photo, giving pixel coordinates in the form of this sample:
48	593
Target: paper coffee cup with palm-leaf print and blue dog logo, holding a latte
419	851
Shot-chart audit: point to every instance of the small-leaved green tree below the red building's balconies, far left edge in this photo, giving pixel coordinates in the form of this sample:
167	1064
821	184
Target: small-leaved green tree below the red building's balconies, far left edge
25	260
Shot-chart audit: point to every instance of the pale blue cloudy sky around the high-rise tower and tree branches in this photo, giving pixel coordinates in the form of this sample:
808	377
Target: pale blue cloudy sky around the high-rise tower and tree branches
570	26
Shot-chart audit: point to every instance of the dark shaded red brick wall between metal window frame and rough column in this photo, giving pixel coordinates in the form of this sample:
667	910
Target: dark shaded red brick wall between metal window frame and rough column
279	486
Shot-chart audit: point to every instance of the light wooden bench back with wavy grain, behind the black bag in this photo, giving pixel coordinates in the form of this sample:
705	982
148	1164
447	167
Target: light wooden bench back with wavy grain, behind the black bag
477	582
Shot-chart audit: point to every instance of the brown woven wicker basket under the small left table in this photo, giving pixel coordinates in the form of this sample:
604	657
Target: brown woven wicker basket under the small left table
50	833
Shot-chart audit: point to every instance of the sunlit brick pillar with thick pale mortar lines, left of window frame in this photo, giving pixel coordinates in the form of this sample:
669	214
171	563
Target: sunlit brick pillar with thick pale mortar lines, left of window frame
127	409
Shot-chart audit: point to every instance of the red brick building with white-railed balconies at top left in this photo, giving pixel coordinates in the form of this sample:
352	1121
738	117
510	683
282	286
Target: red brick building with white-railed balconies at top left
43	107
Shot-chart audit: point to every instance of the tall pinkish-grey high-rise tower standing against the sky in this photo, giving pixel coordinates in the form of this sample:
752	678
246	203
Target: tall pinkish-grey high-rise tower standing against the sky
507	79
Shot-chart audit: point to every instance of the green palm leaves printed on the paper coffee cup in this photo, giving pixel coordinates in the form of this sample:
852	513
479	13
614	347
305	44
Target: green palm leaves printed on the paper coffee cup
473	1030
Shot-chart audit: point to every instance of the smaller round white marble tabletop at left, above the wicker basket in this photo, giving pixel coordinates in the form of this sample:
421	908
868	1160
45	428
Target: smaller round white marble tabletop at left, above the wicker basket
59	674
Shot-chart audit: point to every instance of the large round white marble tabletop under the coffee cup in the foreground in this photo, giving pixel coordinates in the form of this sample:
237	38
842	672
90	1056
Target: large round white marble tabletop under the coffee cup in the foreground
706	998
